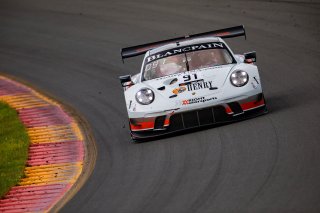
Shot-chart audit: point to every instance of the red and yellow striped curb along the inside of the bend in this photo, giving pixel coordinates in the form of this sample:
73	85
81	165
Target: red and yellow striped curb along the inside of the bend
56	150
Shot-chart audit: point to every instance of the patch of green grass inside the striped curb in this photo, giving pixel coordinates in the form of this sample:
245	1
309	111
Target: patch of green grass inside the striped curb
14	143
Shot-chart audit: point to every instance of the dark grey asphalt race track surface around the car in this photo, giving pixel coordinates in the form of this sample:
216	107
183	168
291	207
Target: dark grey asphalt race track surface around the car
267	164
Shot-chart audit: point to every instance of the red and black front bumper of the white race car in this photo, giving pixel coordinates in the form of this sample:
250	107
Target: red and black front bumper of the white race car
146	128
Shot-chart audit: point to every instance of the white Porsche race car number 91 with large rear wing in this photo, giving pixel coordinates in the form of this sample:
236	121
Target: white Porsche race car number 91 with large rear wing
190	82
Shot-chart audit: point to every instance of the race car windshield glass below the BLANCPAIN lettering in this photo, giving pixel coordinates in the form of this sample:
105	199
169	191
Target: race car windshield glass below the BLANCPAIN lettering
156	68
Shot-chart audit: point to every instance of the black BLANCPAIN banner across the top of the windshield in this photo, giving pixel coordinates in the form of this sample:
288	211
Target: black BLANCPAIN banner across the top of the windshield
176	51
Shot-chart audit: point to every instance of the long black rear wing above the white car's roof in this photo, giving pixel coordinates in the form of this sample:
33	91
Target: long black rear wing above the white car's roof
143	48
